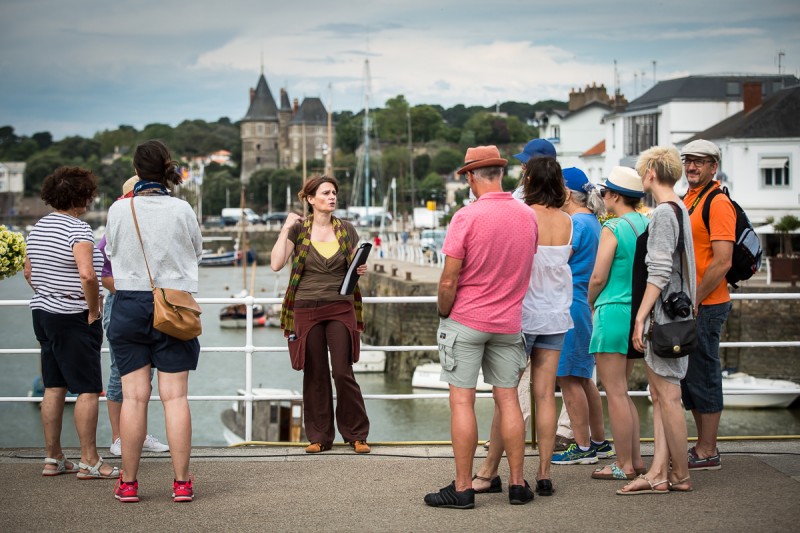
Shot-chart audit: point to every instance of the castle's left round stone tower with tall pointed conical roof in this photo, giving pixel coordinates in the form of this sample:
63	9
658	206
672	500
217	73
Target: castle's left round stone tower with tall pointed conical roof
260	132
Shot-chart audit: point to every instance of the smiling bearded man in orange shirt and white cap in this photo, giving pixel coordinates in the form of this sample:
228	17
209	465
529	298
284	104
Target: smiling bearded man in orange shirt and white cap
713	248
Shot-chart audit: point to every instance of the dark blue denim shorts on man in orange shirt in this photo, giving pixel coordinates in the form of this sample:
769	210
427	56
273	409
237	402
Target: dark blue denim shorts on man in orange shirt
701	389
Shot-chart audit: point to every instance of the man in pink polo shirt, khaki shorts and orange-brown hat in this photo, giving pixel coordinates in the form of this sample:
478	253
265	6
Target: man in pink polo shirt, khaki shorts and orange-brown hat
489	251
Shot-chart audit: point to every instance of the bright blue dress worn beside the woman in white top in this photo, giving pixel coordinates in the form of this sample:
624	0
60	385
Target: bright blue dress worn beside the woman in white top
575	358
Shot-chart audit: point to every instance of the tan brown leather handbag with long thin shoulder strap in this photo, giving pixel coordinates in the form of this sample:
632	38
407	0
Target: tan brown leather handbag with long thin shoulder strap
175	312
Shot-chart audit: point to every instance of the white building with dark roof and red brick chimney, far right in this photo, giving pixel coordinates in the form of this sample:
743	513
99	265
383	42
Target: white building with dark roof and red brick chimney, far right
760	148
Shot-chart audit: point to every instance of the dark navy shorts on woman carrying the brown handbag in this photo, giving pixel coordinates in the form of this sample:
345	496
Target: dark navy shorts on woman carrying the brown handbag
137	344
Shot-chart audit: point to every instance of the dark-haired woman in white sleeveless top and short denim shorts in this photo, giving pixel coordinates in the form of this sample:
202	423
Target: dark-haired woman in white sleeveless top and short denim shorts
545	317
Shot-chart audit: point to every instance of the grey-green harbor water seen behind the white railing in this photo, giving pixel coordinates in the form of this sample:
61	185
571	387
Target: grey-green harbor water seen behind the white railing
223	373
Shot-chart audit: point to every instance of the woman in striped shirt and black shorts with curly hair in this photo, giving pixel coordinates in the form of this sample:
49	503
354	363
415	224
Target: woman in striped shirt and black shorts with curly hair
61	267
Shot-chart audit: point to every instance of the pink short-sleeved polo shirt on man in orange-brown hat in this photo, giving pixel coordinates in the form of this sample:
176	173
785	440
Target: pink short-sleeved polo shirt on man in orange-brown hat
496	238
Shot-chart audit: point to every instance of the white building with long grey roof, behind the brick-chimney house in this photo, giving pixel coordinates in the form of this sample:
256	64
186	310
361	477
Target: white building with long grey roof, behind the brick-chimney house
674	110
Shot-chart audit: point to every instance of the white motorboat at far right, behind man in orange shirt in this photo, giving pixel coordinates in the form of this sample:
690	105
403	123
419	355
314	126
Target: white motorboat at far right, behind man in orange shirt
743	391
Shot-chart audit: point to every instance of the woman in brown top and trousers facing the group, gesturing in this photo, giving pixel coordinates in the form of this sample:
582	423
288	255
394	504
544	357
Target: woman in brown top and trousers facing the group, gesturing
316	318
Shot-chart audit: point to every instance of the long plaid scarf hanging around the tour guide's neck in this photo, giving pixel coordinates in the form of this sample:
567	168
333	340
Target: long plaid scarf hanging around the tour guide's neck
302	246
